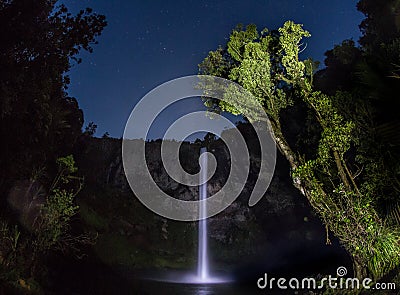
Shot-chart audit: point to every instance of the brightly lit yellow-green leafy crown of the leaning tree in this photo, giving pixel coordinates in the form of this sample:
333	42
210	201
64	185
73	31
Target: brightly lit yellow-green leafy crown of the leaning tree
258	62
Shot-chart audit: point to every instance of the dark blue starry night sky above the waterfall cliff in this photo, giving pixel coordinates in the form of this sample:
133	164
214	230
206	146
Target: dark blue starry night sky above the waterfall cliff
147	43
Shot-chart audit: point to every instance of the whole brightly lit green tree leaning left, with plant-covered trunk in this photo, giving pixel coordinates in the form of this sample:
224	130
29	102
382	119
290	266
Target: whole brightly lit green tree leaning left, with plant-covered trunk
268	65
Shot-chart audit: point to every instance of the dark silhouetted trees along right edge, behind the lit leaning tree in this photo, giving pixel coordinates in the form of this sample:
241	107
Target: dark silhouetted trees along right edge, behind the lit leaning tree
368	76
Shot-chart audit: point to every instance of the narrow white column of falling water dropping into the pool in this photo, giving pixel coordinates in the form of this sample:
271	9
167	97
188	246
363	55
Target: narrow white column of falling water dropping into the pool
202	267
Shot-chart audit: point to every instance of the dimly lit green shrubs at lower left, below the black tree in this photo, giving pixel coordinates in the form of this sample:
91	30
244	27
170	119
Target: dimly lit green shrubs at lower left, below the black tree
22	254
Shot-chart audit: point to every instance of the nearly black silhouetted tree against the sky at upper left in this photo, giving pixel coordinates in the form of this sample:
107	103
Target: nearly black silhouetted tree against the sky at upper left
39	42
